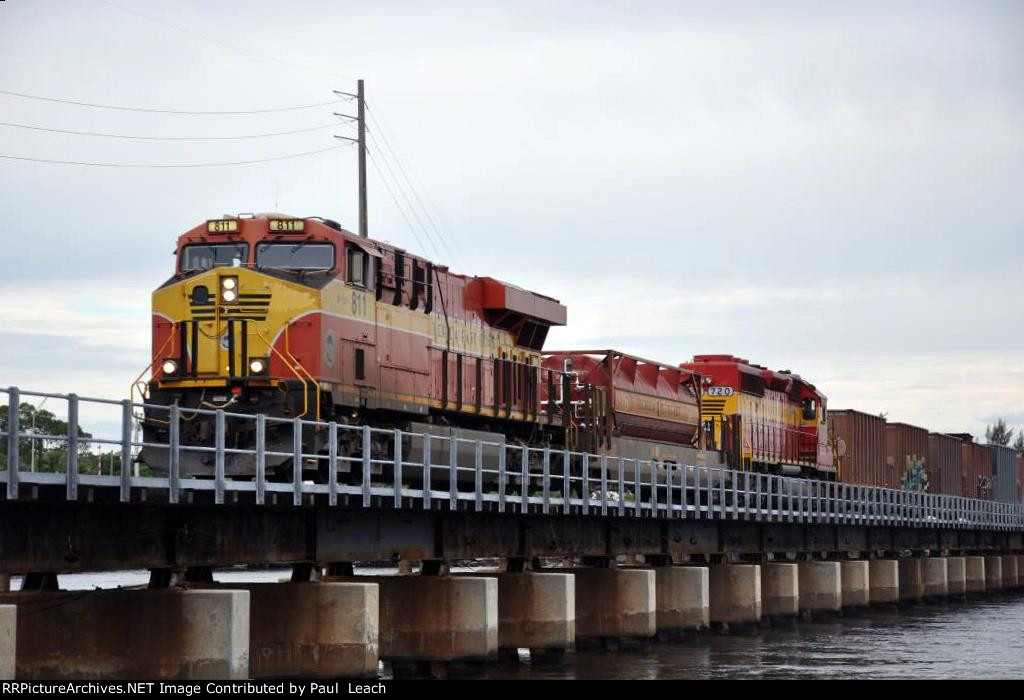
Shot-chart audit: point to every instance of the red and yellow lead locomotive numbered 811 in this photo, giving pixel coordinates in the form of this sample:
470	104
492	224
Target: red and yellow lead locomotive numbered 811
297	318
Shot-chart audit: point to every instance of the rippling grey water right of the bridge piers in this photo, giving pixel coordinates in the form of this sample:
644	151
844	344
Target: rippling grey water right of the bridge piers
979	640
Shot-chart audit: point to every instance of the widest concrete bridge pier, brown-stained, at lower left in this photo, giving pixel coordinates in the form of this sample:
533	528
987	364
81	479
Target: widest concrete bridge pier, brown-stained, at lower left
132	635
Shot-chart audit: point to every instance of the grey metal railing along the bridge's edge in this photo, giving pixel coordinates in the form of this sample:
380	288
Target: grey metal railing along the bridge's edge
456	474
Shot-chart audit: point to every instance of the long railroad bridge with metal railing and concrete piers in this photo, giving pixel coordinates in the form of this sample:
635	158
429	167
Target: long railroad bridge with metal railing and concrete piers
443	550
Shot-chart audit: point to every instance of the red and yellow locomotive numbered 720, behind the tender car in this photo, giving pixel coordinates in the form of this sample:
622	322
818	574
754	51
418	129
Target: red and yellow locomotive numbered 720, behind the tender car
762	420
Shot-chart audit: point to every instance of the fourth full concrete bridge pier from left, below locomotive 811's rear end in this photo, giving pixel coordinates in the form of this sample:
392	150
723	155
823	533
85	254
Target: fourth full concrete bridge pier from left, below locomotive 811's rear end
537	611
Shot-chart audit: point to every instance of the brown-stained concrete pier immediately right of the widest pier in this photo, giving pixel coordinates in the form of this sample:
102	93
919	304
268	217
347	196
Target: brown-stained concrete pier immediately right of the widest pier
313	631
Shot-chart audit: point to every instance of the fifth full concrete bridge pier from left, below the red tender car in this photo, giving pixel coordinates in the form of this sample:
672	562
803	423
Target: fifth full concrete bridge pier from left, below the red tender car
614	604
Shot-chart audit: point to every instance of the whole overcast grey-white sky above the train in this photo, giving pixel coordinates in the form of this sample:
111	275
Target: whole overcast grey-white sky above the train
834	189
